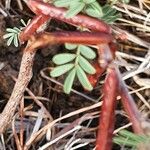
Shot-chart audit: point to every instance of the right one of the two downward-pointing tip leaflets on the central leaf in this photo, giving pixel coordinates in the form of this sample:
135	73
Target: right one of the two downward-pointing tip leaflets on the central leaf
83	79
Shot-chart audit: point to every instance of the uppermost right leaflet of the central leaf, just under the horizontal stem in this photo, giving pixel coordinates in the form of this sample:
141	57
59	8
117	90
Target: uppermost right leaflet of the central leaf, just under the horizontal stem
87	52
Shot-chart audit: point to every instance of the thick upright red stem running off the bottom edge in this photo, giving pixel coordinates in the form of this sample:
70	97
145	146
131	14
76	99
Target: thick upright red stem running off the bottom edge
107	121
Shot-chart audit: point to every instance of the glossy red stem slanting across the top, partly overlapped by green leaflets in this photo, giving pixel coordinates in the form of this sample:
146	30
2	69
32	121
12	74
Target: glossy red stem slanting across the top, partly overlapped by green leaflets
59	13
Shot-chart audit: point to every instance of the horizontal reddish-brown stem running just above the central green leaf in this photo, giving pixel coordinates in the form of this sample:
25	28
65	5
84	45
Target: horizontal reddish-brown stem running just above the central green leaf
44	39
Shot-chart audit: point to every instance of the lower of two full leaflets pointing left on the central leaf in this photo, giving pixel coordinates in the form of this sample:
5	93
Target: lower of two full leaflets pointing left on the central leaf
60	70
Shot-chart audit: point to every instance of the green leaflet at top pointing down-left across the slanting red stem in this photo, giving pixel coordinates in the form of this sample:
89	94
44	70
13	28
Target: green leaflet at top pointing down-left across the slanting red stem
75	9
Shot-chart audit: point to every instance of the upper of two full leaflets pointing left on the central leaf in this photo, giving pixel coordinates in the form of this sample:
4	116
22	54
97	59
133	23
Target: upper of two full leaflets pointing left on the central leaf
60	59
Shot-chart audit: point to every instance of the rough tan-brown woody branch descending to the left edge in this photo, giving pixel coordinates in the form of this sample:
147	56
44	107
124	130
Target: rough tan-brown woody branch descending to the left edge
24	77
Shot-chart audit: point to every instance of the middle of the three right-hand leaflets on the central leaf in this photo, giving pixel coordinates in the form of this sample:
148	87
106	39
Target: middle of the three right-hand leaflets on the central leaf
86	66
